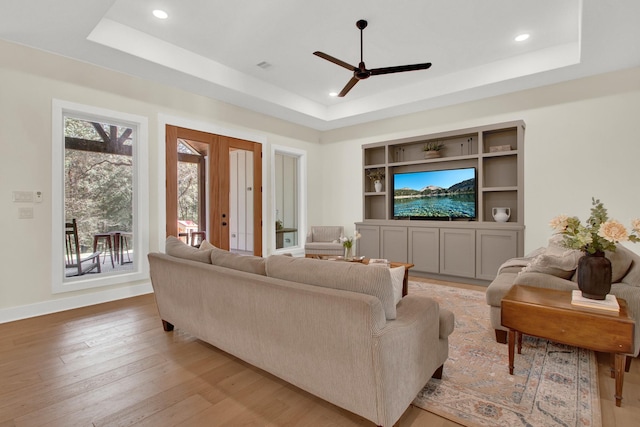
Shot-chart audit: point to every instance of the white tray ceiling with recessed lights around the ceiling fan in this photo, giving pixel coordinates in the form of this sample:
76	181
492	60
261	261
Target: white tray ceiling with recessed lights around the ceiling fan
212	47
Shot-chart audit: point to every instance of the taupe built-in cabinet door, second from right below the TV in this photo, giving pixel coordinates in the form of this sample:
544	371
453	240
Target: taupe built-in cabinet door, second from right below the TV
457	252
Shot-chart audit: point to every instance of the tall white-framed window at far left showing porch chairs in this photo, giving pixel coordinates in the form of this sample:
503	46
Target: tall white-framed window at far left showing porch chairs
99	173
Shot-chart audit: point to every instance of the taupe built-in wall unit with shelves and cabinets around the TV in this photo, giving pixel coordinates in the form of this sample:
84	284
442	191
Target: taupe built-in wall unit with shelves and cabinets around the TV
467	249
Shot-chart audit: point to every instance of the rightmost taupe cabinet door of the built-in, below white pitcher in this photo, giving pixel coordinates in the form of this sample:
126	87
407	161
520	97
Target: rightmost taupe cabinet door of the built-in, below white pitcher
493	248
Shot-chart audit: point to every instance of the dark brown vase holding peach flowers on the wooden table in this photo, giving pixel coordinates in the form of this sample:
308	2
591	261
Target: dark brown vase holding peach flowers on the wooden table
594	275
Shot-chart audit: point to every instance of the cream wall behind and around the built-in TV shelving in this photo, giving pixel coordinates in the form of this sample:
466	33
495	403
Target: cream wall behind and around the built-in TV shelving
582	139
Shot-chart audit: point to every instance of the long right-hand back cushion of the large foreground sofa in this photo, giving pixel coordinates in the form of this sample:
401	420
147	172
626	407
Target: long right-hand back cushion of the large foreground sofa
350	276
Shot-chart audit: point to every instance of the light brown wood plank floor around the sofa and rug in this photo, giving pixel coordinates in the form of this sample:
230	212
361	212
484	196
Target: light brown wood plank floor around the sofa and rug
113	365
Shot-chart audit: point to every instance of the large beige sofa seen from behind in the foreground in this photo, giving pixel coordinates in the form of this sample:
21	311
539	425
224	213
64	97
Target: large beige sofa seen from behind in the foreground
294	318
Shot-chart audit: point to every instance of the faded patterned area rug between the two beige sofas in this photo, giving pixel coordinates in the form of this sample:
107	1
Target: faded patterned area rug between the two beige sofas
552	385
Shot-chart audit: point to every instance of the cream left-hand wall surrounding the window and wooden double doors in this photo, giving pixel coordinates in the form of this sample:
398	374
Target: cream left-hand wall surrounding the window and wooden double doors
29	80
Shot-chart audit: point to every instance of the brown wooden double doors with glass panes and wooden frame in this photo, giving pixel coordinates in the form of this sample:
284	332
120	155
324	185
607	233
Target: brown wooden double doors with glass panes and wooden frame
220	203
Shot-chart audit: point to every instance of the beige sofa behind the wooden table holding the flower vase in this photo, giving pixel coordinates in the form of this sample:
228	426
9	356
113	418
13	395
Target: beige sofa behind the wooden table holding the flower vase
554	268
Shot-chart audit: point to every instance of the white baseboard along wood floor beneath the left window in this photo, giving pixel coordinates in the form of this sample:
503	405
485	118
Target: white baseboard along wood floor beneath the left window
62	304
